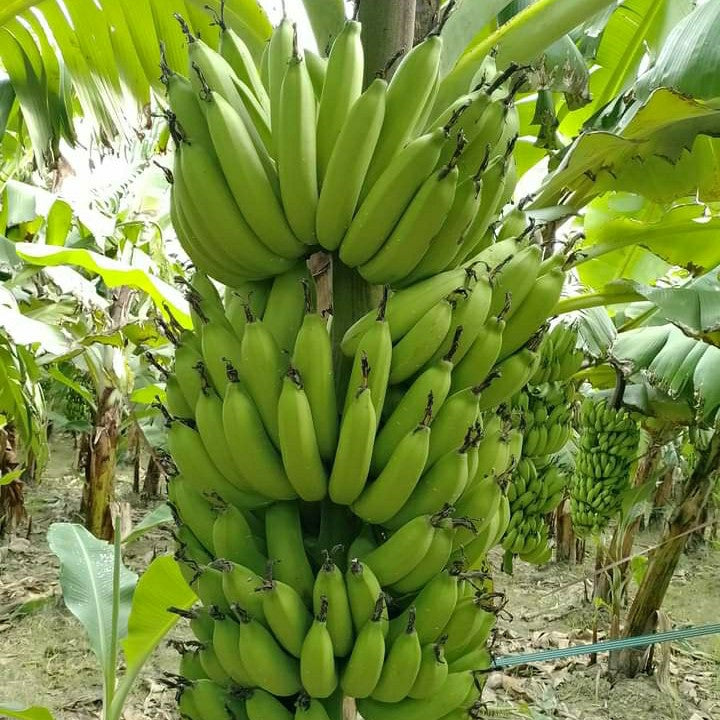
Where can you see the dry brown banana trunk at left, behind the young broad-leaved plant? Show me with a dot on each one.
(100, 466)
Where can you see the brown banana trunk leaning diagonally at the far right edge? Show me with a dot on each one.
(643, 615)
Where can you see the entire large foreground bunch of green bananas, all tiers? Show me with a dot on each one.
(334, 513)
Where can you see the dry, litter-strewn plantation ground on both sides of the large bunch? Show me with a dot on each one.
(45, 660)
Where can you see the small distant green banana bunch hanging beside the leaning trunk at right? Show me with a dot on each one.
(607, 450)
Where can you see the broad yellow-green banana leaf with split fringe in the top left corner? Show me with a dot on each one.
(108, 52)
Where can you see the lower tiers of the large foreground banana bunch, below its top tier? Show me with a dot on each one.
(408, 485)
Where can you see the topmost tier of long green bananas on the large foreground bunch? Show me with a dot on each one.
(275, 163)
